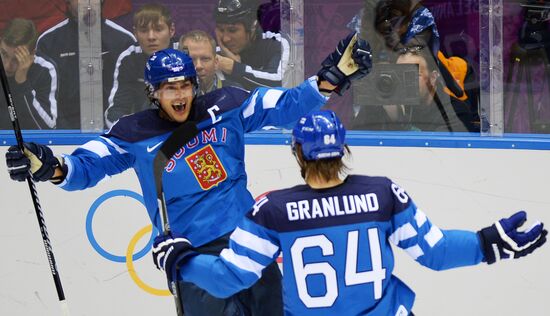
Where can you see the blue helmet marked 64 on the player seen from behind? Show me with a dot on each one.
(321, 135)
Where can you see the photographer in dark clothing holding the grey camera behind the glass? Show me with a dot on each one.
(438, 111)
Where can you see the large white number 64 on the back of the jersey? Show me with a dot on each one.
(352, 277)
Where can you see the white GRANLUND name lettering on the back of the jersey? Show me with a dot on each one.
(332, 206)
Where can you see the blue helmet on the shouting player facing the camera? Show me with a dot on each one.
(169, 65)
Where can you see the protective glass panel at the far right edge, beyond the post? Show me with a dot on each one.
(526, 48)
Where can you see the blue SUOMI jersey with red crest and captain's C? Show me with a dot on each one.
(205, 181)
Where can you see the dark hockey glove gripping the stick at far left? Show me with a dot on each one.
(36, 158)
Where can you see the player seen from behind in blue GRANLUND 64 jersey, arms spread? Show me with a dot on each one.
(335, 237)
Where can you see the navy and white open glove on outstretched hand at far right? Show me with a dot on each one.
(502, 240)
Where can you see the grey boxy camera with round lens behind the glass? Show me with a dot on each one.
(388, 84)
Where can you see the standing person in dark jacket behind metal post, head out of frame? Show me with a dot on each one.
(60, 44)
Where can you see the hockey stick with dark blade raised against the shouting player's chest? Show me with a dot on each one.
(181, 136)
